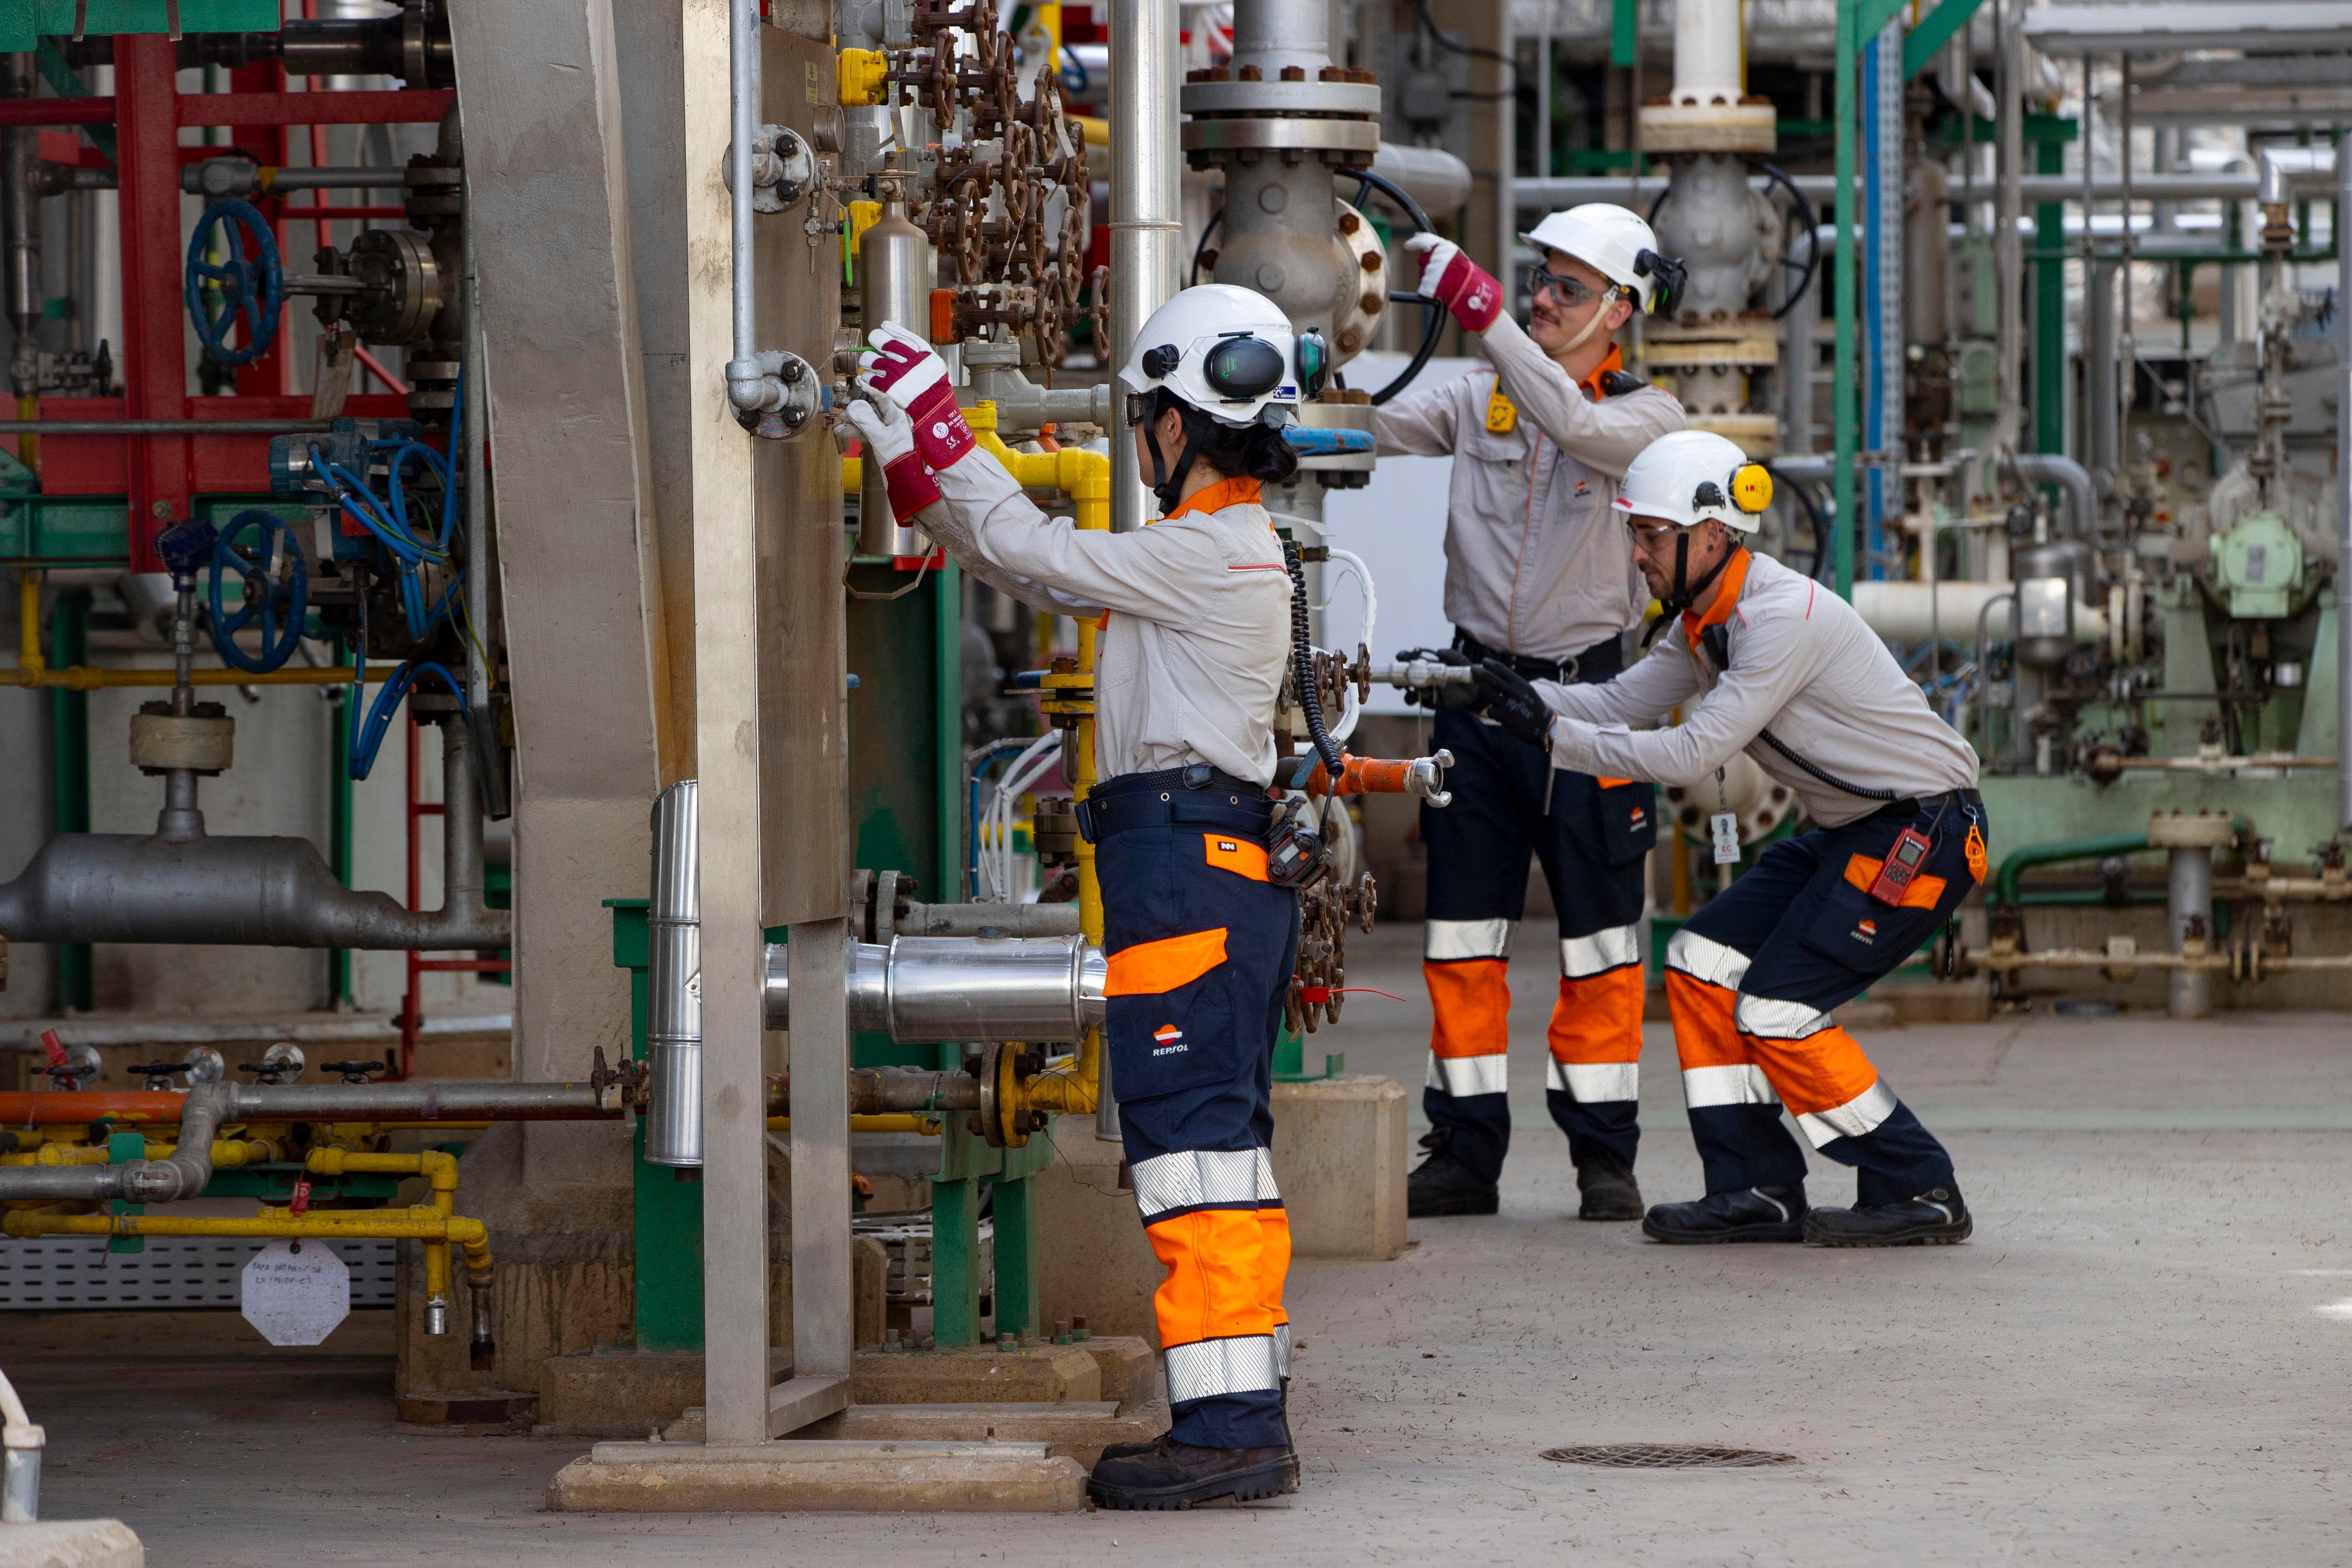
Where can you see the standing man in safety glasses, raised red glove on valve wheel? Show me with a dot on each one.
(1537, 577)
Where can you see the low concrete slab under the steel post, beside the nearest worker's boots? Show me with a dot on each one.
(801, 1477)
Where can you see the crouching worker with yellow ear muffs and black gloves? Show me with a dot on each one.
(1770, 664)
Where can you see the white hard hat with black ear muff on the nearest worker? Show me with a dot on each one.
(1227, 351)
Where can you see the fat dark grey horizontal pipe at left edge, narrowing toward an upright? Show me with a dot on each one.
(250, 892)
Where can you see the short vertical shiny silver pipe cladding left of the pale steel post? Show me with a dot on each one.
(674, 996)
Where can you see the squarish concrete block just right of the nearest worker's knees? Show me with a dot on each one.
(1339, 1160)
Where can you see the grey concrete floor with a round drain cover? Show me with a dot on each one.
(2144, 1355)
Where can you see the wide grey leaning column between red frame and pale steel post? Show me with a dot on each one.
(544, 159)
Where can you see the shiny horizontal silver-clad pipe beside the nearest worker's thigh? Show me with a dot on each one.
(968, 989)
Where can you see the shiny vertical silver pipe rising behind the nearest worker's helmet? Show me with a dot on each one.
(1147, 206)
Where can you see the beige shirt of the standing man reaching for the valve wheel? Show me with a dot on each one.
(1535, 558)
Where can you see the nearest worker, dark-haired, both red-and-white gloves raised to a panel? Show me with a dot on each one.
(1201, 920)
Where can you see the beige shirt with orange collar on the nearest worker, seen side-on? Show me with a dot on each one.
(1198, 629)
